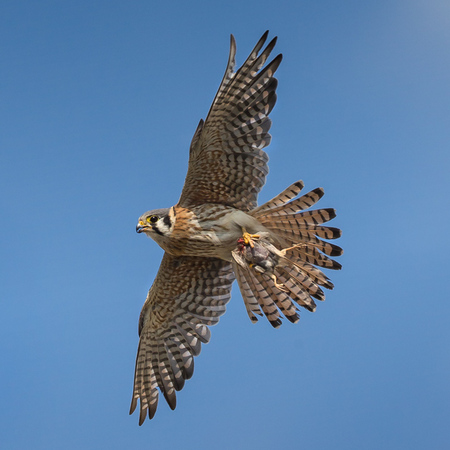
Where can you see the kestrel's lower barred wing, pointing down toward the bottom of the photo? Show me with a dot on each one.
(188, 294)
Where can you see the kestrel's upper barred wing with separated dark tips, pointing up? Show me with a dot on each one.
(226, 162)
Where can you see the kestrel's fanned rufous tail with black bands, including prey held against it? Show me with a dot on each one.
(278, 270)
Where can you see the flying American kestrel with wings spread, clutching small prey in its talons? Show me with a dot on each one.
(216, 233)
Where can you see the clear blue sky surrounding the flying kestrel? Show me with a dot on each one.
(99, 101)
